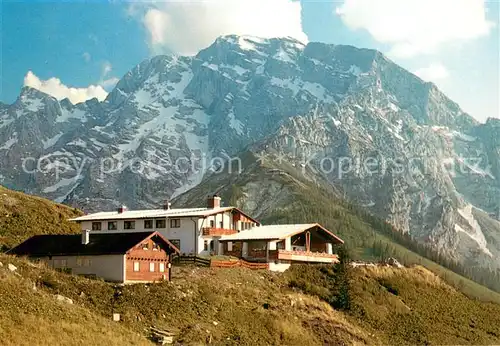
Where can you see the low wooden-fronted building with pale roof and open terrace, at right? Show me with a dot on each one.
(282, 245)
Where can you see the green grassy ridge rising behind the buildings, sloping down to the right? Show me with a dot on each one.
(299, 200)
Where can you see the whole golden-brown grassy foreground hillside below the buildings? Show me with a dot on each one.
(243, 307)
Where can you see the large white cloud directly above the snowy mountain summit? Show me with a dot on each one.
(188, 26)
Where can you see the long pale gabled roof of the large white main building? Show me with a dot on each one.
(156, 213)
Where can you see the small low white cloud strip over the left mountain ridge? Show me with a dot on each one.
(54, 87)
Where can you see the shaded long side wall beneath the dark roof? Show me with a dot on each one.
(108, 267)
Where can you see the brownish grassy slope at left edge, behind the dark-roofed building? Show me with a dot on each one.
(22, 216)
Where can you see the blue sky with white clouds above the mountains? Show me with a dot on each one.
(80, 49)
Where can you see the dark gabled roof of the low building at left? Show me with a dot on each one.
(71, 245)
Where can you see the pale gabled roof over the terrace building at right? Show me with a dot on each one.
(277, 232)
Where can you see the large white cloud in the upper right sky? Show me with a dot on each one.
(414, 27)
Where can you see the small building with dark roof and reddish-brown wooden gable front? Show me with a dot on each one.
(116, 257)
